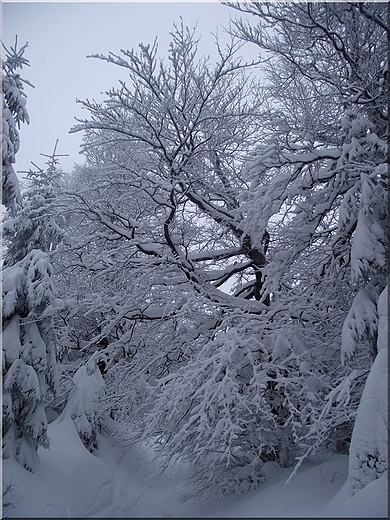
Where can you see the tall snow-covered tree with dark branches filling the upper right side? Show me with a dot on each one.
(322, 173)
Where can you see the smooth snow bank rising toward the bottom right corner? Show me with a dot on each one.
(321, 491)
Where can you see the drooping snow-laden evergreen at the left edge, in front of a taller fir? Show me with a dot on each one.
(29, 365)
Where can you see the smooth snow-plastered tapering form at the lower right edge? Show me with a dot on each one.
(368, 458)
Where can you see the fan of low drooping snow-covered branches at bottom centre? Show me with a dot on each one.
(229, 409)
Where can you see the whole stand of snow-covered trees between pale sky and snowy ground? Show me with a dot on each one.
(212, 280)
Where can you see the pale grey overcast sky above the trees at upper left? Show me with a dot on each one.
(61, 35)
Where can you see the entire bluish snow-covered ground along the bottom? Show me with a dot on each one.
(117, 481)
